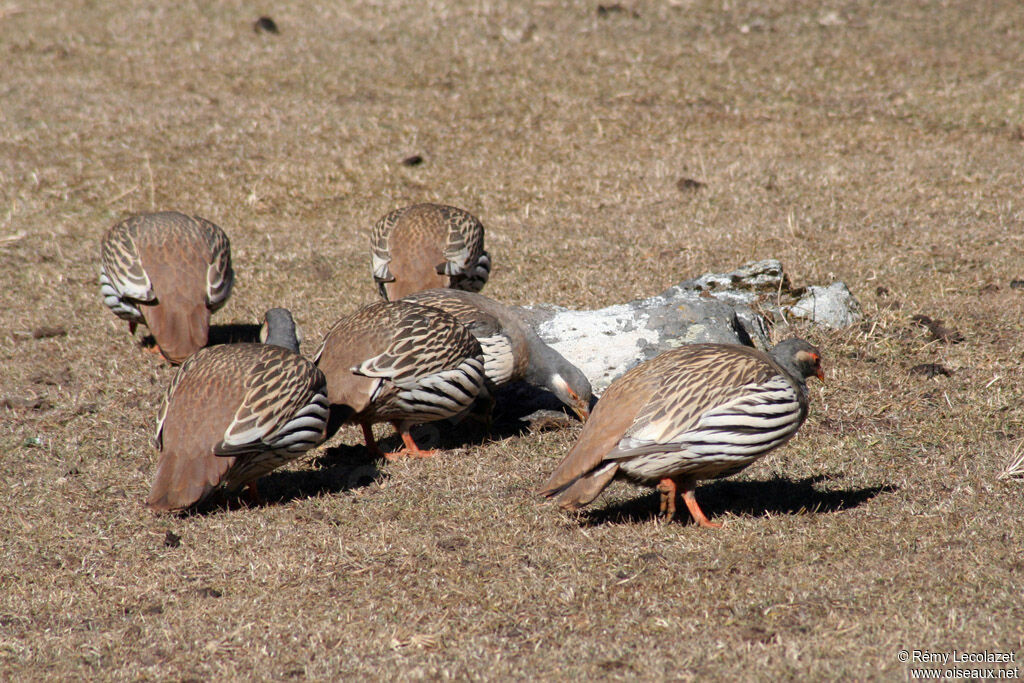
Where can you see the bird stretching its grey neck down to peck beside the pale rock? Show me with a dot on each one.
(513, 351)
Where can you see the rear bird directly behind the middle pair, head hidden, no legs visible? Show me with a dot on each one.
(425, 246)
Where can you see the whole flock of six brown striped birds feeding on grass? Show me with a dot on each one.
(433, 350)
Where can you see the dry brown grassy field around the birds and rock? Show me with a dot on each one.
(879, 144)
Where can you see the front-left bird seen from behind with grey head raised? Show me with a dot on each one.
(235, 412)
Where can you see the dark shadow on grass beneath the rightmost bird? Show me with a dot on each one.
(778, 496)
